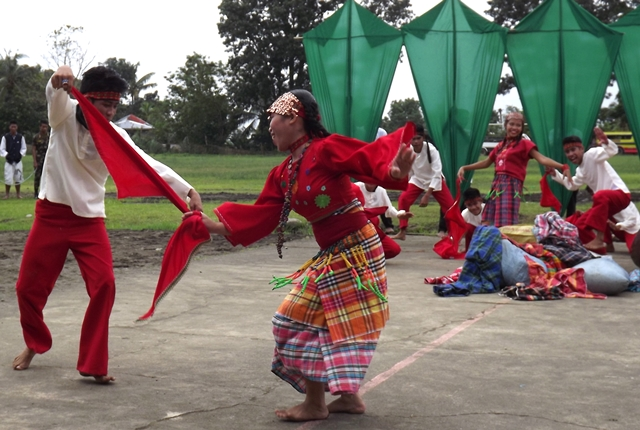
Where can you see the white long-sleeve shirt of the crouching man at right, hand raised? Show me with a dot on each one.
(595, 171)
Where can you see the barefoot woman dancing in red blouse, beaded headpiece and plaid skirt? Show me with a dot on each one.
(328, 326)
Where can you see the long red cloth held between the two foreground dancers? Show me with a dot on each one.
(135, 178)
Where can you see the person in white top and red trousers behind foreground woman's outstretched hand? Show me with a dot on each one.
(425, 177)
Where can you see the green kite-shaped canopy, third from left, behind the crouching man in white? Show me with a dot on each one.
(562, 58)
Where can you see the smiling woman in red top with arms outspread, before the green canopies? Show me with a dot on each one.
(511, 157)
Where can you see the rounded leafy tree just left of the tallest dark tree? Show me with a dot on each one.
(199, 113)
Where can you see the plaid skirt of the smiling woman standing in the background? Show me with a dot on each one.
(503, 201)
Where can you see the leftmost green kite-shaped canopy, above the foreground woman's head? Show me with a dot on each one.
(352, 57)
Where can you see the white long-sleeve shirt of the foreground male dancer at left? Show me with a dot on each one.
(73, 172)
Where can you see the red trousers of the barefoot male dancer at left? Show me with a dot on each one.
(55, 231)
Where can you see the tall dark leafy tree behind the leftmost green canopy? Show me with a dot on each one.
(265, 56)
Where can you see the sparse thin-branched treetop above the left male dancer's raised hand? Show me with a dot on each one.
(65, 49)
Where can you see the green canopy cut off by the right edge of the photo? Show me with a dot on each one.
(627, 69)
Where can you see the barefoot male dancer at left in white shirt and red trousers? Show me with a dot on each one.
(70, 216)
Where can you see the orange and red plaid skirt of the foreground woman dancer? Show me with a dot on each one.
(327, 328)
